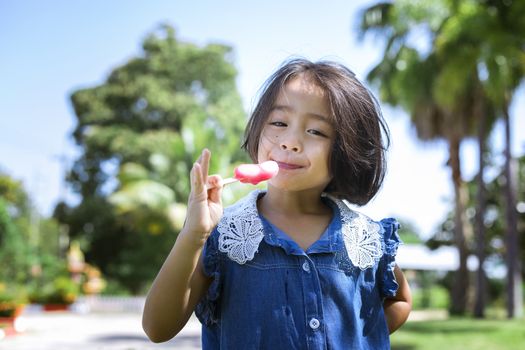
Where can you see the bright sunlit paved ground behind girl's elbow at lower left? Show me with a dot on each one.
(93, 331)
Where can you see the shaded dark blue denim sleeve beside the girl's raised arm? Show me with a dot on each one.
(207, 310)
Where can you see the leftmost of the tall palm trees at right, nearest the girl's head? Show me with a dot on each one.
(441, 91)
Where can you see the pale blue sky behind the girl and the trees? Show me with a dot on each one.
(49, 49)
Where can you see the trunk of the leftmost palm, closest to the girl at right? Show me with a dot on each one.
(461, 278)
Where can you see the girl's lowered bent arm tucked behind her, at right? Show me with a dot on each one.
(398, 307)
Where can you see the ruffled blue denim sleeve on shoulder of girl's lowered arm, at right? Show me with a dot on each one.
(388, 261)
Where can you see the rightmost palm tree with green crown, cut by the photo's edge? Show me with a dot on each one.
(504, 57)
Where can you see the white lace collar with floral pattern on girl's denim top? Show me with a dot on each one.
(241, 231)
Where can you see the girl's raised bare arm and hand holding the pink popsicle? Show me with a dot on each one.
(181, 282)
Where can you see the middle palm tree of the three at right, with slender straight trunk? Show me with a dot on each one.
(460, 40)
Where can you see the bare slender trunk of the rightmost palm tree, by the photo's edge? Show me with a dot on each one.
(514, 289)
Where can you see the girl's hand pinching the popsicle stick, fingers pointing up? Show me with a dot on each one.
(204, 203)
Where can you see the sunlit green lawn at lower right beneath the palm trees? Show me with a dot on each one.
(460, 334)
